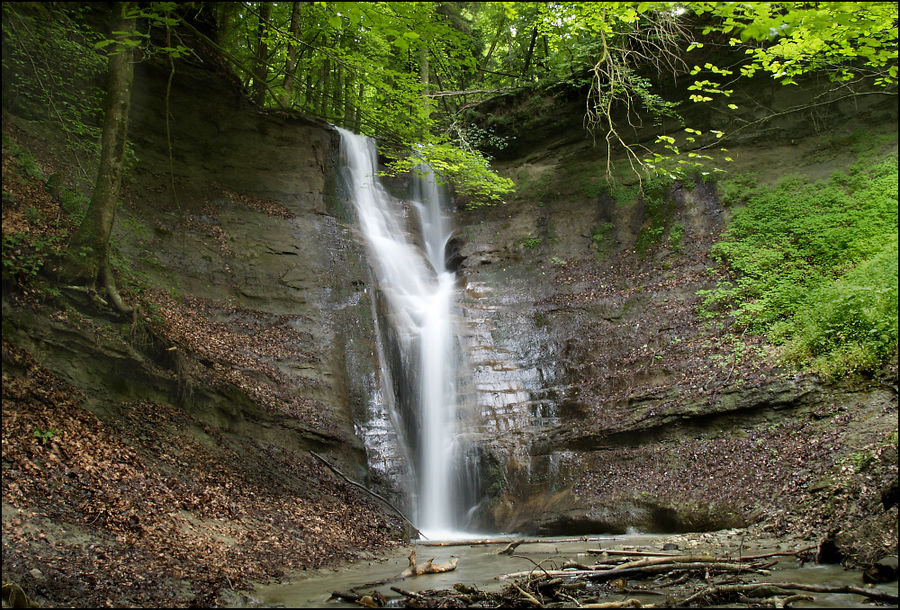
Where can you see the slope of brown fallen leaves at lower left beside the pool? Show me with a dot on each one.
(157, 508)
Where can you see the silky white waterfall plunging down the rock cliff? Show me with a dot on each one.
(418, 335)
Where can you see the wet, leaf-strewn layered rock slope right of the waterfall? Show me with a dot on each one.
(609, 402)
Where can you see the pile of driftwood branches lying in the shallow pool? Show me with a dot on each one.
(626, 579)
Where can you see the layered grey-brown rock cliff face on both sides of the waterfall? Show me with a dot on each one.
(605, 401)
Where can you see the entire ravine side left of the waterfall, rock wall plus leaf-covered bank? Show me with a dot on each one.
(164, 460)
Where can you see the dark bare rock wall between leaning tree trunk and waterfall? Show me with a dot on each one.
(251, 232)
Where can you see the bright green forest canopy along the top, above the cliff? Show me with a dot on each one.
(412, 73)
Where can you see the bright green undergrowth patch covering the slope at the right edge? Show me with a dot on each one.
(814, 266)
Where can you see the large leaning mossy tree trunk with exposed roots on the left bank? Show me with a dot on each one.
(87, 256)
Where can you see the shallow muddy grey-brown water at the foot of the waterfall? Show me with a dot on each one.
(480, 566)
